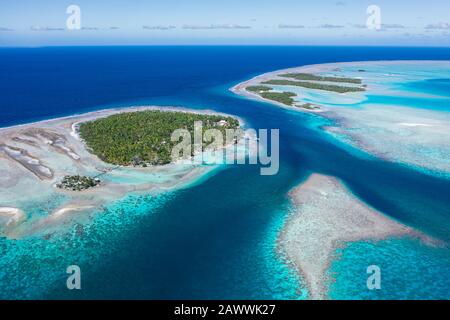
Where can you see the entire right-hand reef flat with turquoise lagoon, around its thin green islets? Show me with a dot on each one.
(403, 115)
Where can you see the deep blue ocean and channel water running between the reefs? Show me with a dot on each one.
(217, 239)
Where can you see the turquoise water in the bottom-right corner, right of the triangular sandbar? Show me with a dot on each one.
(417, 263)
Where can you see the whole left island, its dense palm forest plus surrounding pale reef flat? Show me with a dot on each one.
(89, 160)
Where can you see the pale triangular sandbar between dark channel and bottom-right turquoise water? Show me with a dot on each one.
(325, 217)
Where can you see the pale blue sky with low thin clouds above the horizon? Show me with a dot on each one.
(179, 22)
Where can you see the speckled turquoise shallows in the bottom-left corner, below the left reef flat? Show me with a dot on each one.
(29, 265)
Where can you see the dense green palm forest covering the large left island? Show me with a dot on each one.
(144, 138)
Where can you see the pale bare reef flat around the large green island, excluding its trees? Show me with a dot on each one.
(35, 157)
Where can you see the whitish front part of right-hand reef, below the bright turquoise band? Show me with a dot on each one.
(416, 137)
